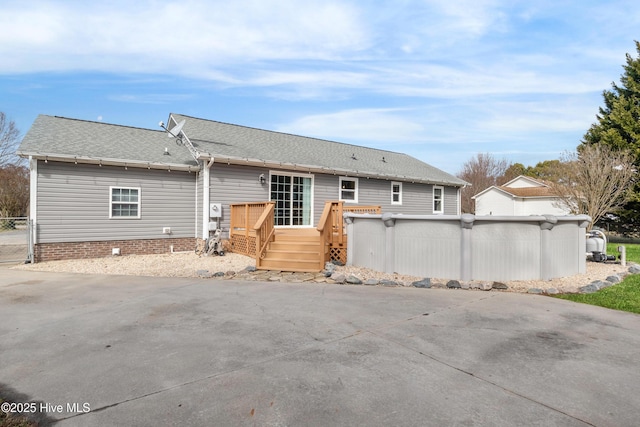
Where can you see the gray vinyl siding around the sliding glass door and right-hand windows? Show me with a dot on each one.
(238, 184)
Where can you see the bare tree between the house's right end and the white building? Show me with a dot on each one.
(482, 171)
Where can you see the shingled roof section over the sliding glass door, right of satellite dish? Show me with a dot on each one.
(237, 144)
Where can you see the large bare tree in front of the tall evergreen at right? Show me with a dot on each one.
(597, 180)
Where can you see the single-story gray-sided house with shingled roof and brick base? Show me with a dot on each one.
(97, 186)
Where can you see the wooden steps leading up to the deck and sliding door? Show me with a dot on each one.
(293, 249)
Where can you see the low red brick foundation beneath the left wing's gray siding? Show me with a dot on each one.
(83, 250)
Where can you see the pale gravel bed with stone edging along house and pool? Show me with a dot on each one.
(241, 267)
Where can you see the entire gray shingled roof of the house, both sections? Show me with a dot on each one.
(66, 139)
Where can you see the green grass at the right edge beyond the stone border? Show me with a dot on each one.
(624, 296)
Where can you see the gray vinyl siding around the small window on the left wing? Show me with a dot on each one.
(73, 203)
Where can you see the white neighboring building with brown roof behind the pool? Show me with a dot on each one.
(520, 196)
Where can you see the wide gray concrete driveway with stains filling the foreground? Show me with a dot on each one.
(114, 350)
